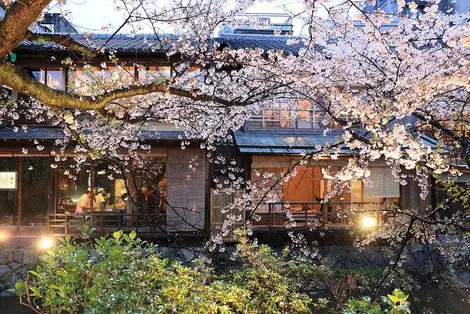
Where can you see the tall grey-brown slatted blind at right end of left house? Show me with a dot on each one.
(186, 175)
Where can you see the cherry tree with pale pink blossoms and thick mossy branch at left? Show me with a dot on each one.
(397, 75)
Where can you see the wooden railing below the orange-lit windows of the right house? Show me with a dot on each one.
(318, 214)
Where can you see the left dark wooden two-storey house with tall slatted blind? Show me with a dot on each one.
(39, 192)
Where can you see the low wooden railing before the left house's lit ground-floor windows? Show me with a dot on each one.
(105, 223)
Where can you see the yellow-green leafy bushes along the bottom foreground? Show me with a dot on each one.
(123, 274)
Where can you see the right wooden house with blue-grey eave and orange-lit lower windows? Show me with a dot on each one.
(276, 144)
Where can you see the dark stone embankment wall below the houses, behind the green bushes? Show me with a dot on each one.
(15, 263)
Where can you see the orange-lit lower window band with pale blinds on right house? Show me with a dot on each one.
(308, 189)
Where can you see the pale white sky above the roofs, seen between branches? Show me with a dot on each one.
(100, 16)
